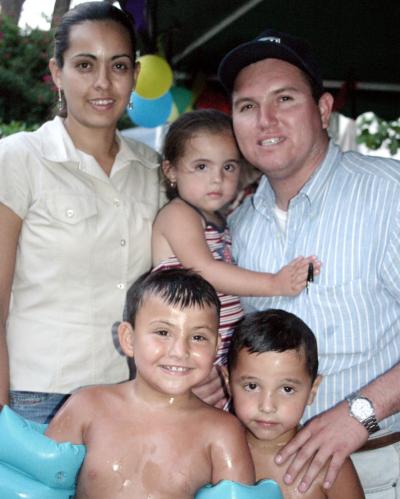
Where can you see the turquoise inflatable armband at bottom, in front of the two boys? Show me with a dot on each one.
(226, 489)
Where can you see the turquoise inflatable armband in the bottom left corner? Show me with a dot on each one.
(32, 465)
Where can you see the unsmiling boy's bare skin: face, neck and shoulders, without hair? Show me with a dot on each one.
(270, 391)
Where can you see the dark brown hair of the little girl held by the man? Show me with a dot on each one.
(185, 127)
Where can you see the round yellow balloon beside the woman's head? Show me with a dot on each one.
(155, 77)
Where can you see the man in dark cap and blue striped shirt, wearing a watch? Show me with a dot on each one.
(344, 208)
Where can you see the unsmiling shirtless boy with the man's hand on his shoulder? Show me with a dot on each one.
(273, 364)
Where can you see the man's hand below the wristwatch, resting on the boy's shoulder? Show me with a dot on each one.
(331, 436)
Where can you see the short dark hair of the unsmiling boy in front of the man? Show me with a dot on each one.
(274, 330)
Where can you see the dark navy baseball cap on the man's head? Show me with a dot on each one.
(270, 44)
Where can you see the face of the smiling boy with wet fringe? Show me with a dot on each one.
(174, 349)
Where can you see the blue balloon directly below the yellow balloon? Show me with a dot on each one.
(150, 113)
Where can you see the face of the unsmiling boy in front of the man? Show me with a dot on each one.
(270, 391)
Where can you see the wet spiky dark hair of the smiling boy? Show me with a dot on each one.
(178, 287)
